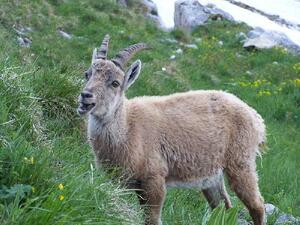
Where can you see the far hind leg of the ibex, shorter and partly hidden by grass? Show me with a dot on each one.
(217, 194)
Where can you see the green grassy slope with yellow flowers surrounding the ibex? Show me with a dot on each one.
(43, 142)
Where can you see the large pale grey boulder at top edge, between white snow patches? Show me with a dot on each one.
(190, 14)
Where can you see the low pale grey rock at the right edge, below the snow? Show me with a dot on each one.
(260, 39)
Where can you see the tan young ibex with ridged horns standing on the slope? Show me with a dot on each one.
(181, 140)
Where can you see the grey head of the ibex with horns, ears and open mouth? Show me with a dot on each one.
(107, 80)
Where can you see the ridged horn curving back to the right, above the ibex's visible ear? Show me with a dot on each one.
(126, 54)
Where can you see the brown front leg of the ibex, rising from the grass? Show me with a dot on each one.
(153, 195)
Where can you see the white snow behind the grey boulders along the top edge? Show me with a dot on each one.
(286, 9)
